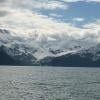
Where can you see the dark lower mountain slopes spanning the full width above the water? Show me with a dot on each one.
(89, 58)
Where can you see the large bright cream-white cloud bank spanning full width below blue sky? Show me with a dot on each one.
(27, 24)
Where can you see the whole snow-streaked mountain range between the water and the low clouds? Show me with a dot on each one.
(21, 52)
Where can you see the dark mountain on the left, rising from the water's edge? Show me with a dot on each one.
(9, 56)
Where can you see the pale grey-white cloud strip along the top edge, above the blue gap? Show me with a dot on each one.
(38, 4)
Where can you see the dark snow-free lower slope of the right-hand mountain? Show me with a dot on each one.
(75, 61)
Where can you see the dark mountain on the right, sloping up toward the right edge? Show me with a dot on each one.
(82, 58)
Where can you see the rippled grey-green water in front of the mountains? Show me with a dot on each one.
(49, 83)
